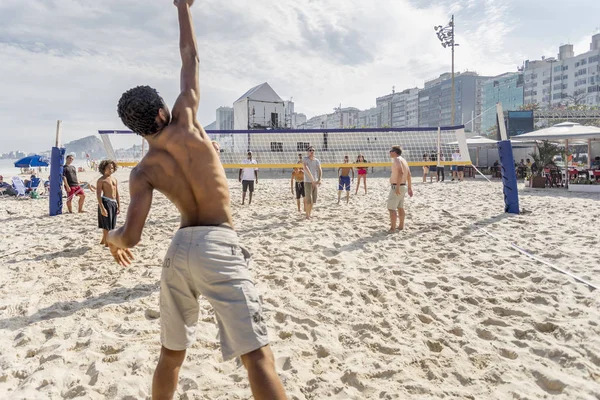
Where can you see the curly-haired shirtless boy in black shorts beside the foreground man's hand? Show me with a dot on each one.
(109, 204)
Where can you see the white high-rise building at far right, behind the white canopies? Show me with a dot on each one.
(566, 80)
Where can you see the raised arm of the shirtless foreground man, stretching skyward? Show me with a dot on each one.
(186, 105)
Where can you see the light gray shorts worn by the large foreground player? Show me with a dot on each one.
(209, 261)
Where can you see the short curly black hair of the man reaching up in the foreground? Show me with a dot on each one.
(138, 108)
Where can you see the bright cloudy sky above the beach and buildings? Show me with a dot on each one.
(72, 59)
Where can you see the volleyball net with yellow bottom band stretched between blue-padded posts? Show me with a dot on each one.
(281, 149)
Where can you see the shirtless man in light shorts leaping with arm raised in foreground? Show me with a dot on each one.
(205, 256)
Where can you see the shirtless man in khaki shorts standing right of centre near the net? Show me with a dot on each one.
(399, 180)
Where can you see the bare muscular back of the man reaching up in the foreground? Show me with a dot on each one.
(182, 165)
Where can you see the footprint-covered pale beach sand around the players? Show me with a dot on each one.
(438, 311)
